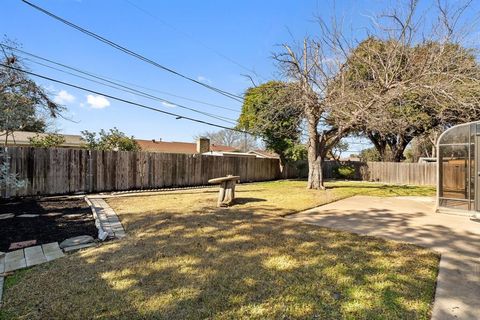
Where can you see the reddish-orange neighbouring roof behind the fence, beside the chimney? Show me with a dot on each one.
(176, 147)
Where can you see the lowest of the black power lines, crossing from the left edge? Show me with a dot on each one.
(177, 116)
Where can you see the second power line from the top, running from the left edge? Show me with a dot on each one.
(108, 79)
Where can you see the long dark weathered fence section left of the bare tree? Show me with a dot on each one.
(66, 171)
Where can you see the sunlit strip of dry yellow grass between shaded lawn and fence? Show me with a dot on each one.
(274, 197)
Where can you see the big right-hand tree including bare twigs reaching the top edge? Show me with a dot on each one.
(408, 79)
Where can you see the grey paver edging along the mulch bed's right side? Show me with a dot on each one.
(106, 218)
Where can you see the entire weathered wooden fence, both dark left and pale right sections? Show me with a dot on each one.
(66, 171)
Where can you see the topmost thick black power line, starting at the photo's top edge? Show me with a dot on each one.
(132, 53)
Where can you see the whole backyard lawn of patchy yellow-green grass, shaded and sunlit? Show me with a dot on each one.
(185, 259)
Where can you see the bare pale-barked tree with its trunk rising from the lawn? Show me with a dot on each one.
(313, 66)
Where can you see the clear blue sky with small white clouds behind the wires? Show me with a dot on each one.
(179, 34)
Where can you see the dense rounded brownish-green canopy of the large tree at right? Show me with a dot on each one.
(403, 90)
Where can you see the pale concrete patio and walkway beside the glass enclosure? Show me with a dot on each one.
(412, 219)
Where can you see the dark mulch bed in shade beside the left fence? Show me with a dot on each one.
(59, 219)
